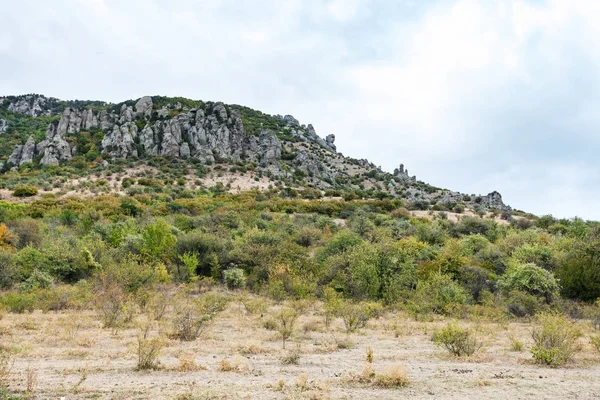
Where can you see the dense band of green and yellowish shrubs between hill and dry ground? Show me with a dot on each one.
(60, 253)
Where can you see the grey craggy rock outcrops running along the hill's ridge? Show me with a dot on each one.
(214, 132)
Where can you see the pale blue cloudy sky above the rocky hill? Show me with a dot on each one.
(472, 96)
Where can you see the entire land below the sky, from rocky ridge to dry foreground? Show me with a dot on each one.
(176, 249)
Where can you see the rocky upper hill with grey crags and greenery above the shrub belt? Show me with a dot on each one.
(39, 133)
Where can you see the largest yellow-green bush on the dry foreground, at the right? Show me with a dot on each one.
(555, 340)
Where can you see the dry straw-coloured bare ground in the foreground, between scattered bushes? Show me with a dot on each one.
(68, 355)
